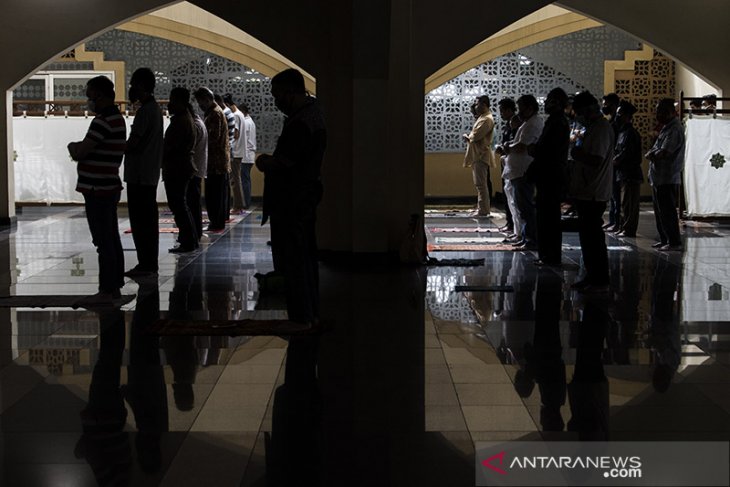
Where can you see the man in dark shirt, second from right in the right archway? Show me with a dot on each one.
(627, 166)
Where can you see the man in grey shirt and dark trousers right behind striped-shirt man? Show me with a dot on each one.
(142, 161)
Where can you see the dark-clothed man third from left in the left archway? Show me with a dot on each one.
(178, 167)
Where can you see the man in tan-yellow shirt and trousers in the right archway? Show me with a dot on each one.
(479, 154)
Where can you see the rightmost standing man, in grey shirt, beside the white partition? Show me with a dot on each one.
(665, 171)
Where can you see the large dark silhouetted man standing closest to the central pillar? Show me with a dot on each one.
(292, 191)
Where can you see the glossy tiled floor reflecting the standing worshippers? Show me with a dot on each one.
(408, 376)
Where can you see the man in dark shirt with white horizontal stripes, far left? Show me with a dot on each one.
(99, 156)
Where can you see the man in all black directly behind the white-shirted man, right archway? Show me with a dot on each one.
(551, 155)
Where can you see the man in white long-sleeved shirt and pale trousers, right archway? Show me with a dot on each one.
(519, 190)
